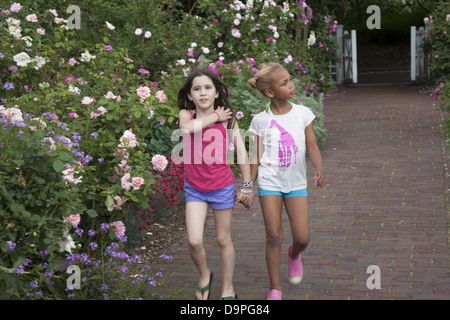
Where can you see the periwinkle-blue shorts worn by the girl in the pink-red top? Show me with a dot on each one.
(224, 198)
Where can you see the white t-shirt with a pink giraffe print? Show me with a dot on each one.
(282, 165)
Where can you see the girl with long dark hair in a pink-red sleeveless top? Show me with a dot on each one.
(206, 119)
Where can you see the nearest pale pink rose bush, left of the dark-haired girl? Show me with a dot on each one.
(73, 140)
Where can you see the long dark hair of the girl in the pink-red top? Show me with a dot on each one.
(221, 101)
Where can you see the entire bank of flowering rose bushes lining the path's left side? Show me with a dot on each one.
(87, 119)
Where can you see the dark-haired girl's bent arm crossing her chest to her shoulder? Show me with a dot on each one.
(193, 125)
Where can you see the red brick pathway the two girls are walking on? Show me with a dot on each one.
(384, 204)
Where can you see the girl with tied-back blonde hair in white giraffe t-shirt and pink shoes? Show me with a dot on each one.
(284, 133)
